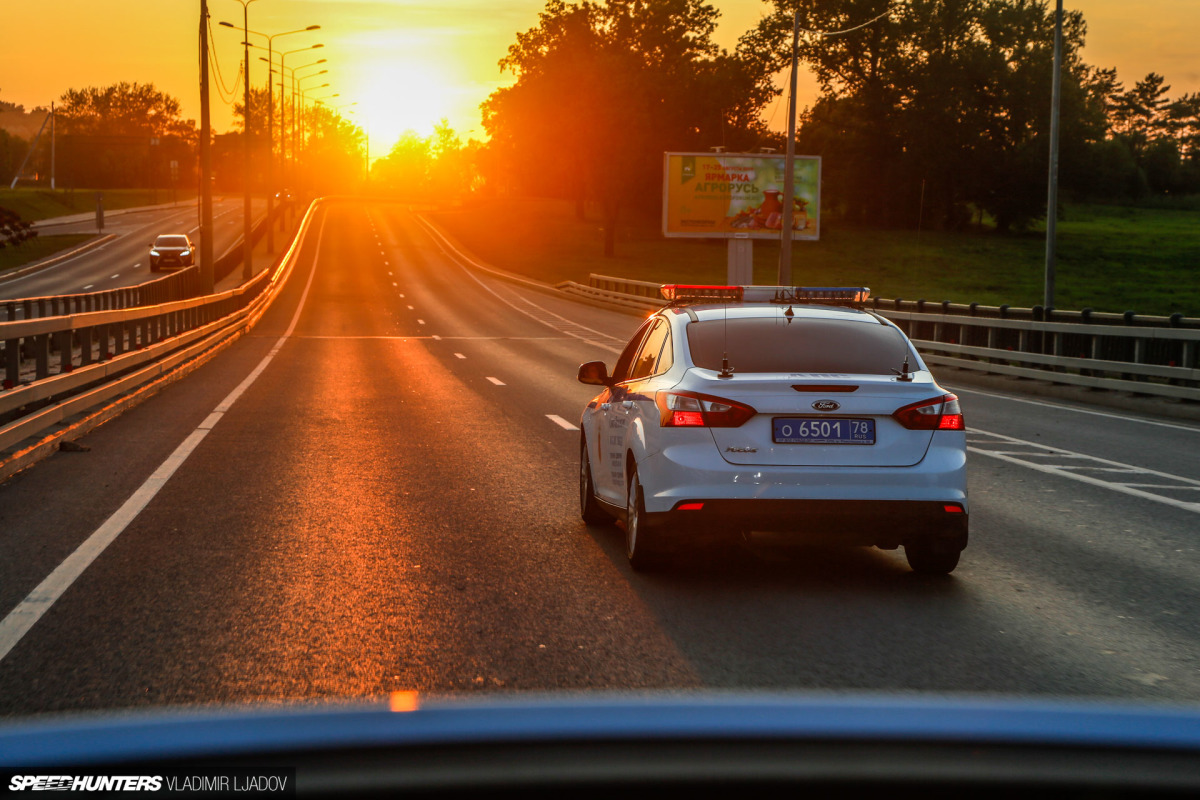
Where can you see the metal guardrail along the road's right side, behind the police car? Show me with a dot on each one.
(1149, 356)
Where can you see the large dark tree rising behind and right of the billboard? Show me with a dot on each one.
(947, 95)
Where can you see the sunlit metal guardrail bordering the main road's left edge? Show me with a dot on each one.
(103, 354)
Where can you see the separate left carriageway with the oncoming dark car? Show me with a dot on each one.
(125, 261)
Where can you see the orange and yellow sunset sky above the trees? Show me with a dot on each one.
(409, 63)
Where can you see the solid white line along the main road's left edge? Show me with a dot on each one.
(21, 619)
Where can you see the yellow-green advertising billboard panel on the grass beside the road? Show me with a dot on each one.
(739, 196)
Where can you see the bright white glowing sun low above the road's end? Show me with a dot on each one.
(404, 98)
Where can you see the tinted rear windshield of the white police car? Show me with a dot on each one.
(825, 346)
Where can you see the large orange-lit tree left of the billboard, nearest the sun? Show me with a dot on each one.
(605, 88)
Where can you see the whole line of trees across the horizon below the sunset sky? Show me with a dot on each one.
(932, 113)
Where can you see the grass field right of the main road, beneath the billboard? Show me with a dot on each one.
(1111, 258)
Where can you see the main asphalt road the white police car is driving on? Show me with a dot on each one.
(392, 506)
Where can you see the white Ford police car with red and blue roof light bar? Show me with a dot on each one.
(775, 410)
